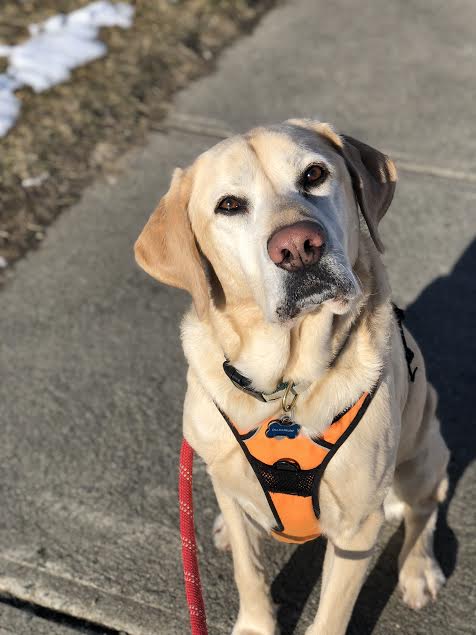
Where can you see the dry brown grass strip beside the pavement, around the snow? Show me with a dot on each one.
(67, 135)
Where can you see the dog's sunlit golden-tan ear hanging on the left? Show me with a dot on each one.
(166, 248)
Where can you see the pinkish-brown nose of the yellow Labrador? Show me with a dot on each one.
(296, 246)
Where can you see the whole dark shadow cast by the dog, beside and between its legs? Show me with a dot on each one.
(442, 320)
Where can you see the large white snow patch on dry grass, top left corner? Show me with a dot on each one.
(55, 47)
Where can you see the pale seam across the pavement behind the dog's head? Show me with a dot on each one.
(202, 126)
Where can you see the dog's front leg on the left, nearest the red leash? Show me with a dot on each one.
(256, 616)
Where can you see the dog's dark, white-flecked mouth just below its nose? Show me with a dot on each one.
(305, 290)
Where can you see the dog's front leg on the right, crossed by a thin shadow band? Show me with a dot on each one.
(347, 559)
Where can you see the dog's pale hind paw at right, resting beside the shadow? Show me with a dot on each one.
(420, 580)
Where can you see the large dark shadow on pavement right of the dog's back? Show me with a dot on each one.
(443, 320)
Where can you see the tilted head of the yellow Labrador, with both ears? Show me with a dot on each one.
(270, 216)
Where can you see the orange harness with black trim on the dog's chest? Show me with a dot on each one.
(289, 467)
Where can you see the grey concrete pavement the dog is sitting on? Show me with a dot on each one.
(92, 375)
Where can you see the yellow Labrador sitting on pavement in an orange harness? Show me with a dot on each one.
(292, 338)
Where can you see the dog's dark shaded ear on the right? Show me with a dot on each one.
(374, 177)
